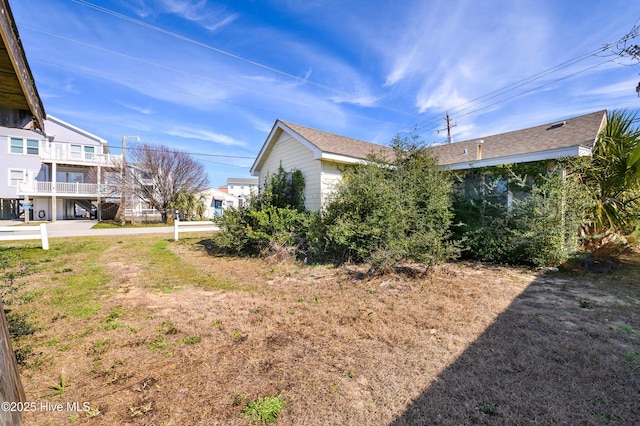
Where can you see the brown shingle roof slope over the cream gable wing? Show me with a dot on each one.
(336, 144)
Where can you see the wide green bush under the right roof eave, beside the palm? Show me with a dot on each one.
(538, 227)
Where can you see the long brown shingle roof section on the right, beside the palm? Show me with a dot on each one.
(577, 131)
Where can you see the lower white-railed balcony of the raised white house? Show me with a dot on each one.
(68, 189)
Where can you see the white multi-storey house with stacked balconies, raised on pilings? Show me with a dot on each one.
(61, 173)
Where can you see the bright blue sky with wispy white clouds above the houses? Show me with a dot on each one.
(211, 77)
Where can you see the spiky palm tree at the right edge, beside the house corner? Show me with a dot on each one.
(612, 178)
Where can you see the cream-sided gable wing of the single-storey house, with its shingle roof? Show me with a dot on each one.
(319, 155)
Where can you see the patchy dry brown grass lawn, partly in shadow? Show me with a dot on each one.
(152, 332)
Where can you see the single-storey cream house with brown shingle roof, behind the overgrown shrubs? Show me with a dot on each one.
(322, 156)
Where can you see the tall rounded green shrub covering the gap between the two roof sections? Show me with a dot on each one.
(389, 211)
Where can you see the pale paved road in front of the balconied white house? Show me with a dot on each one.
(78, 228)
